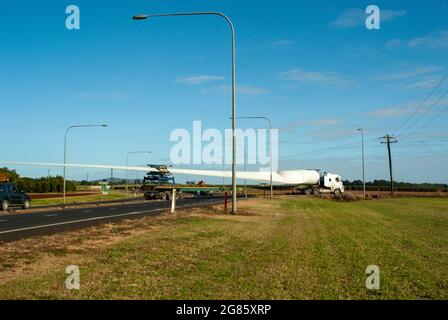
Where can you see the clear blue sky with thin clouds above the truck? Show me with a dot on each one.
(311, 66)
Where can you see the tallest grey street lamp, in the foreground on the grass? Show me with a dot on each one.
(232, 29)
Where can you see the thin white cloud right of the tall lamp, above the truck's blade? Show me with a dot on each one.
(319, 78)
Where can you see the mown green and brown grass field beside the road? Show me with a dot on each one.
(294, 248)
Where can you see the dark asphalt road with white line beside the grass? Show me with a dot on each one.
(18, 226)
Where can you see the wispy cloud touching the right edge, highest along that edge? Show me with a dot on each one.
(434, 40)
